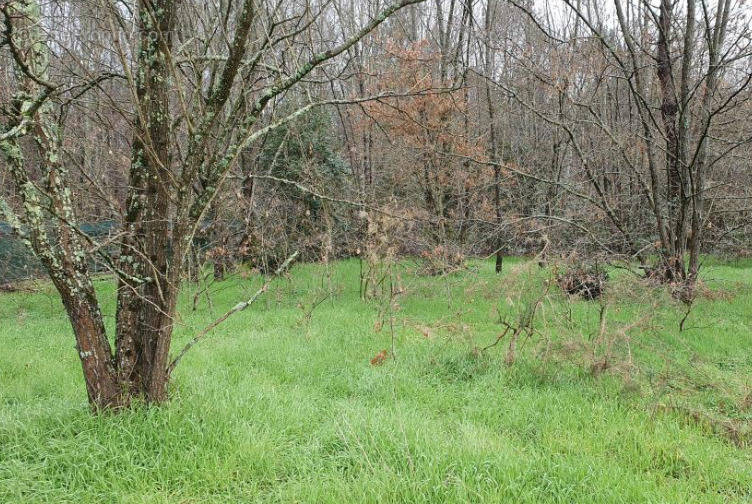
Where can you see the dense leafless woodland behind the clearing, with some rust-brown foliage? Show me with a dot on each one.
(512, 125)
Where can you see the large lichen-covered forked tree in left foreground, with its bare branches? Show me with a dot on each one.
(198, 95)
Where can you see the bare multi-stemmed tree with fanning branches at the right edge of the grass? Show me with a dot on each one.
(653, 132)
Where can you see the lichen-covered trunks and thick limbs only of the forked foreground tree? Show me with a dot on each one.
(164, 204)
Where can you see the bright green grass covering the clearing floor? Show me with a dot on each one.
(282, 404)
